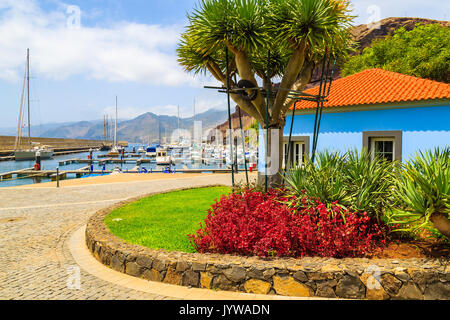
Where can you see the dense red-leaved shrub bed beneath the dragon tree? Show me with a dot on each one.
(265, 224)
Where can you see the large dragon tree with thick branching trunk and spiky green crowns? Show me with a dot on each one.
(268, 42)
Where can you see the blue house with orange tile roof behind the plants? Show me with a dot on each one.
(391, 114)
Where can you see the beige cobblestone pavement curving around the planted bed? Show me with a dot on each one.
(36, 225)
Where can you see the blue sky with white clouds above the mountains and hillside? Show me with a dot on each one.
(84, 53)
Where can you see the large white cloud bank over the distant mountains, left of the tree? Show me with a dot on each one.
(122, 52)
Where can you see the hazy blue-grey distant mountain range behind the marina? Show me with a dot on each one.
(144, 128)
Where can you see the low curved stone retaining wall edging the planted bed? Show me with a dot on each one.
(320, 277)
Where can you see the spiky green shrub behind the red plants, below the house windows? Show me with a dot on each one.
(353, 179)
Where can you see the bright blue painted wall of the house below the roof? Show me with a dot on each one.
(422, 128)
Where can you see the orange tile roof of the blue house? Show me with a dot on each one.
(377, 86)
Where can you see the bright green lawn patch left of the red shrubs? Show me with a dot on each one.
(163, 221)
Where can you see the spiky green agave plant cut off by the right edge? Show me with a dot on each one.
(424, 188)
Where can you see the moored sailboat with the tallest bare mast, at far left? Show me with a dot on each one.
(30, 152)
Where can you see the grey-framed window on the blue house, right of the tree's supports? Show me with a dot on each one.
(386, 144)
